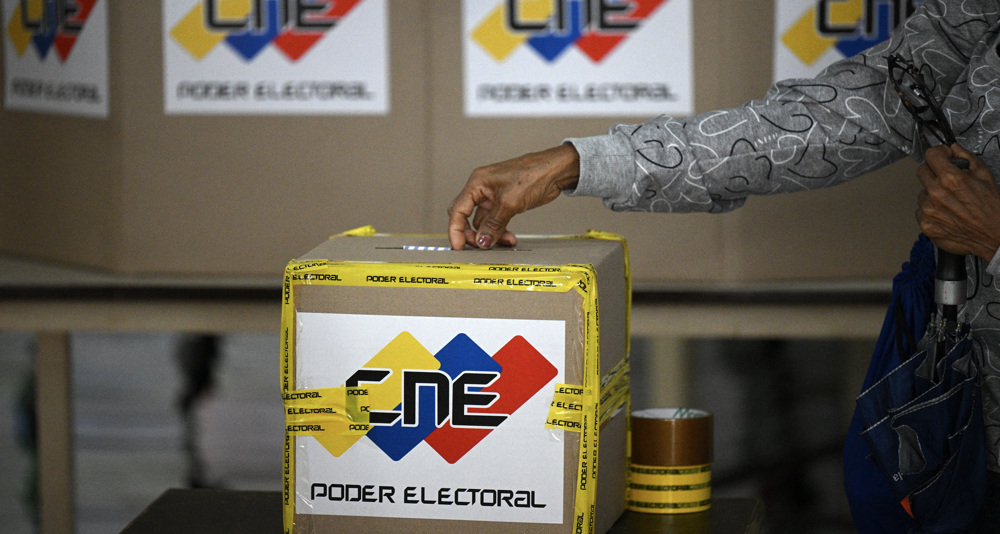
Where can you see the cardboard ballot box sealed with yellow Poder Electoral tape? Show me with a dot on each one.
(363, 310)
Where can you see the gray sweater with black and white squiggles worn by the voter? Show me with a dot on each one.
(811, 133)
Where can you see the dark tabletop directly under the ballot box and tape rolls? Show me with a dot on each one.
(250, 512)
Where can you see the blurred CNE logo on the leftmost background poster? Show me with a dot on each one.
(48, 24)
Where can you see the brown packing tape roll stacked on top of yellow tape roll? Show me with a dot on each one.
(671, 437)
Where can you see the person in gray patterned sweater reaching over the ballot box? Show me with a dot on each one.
(804, 134)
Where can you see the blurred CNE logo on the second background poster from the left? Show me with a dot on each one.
(247, 27)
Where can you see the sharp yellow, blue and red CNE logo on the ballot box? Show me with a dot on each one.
(451, 400)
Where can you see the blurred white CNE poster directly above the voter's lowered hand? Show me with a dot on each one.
(535, 58)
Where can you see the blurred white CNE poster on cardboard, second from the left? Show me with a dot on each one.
(276, 57)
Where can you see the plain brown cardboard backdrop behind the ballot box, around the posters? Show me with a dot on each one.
(142, 192)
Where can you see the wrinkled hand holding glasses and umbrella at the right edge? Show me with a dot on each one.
(959, 210)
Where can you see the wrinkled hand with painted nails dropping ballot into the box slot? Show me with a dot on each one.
(496, 193)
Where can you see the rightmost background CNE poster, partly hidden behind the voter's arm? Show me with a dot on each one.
(812, 34)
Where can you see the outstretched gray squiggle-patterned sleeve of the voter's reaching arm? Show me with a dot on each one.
(804, 134)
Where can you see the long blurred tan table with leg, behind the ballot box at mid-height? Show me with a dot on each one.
(55, 300)
